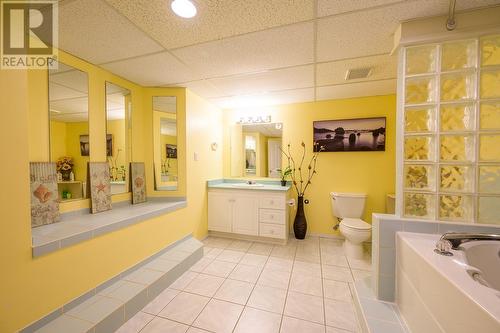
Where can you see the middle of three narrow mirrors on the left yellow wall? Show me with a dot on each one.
(118, 136)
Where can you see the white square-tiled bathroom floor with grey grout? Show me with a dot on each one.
(240, 286)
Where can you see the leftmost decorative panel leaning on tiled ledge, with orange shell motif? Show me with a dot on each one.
(44, 194)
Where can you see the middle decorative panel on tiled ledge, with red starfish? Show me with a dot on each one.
(100, 187)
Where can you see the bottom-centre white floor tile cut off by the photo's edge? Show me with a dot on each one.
(253, 320)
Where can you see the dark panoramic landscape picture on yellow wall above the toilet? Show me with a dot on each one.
(363, 134)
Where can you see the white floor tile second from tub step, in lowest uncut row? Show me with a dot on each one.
(305, 307)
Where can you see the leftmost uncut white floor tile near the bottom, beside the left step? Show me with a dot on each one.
(184, 308)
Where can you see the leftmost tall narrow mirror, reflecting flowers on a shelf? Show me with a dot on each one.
(69, 130)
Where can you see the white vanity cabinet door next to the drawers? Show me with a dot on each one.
(246, 215)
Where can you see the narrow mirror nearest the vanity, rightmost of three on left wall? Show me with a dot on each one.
(165, 142)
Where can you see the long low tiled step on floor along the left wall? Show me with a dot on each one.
(110, 305)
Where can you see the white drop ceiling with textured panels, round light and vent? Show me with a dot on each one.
(253, 51)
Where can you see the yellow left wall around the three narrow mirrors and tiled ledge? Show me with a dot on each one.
(31, 288)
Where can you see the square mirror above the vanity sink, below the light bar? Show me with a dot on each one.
(256, 150)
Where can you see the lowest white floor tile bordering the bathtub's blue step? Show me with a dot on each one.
(341, 315)
